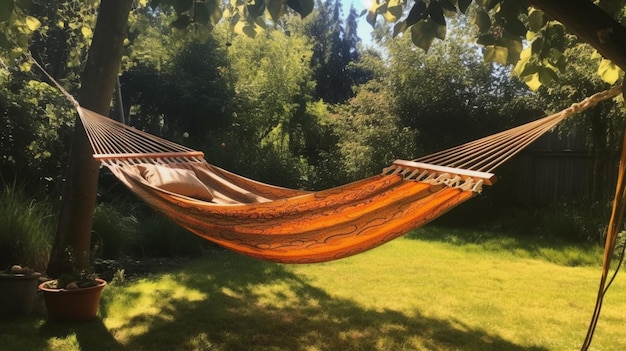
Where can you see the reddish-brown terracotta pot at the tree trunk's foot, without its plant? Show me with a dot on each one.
(77, 305)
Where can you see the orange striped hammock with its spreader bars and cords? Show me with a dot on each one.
(295, 226)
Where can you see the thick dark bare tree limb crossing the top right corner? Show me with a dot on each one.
(591, 24)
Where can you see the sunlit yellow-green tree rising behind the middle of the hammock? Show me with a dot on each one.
(271, 79)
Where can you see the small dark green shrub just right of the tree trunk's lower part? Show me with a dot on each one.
(113, 233)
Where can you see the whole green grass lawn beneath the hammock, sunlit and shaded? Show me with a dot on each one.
(406, 295)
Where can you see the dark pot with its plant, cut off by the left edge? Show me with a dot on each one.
(18, 291)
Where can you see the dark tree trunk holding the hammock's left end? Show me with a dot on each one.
(72, 242)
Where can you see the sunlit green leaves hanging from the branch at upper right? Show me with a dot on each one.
(503, 27)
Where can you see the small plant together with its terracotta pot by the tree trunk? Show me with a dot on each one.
(74, 296)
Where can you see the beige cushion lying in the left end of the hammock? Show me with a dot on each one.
(176, 180)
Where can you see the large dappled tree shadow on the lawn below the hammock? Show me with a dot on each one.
(252, 305)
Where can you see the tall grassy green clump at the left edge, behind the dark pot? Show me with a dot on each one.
(26, 229)
